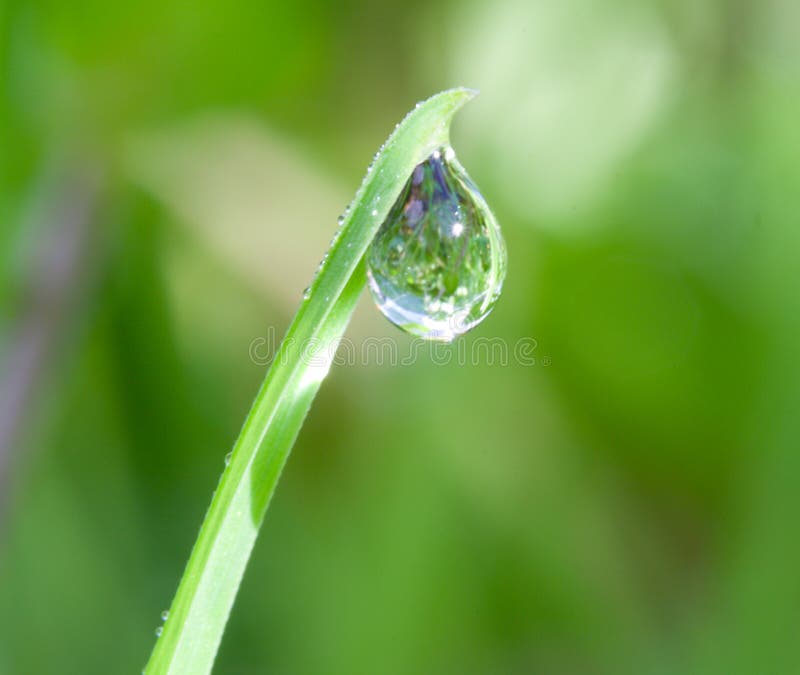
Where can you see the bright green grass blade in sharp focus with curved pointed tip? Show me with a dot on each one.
(200, 609)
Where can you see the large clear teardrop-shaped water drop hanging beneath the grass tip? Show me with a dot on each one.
(436, 266)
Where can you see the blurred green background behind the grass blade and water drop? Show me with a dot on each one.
(170, 175)
